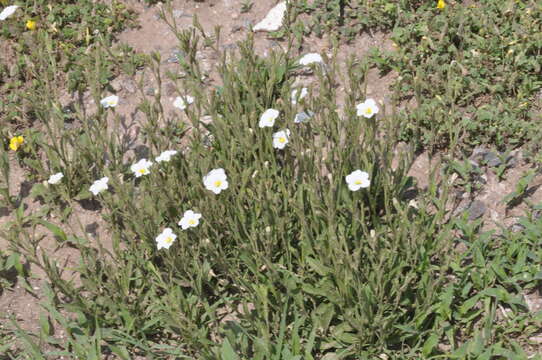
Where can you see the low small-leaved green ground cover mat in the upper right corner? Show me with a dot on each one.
(474, 64)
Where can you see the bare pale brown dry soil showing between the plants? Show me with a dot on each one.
(154, 35)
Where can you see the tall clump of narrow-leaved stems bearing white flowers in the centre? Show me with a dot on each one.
(285, 236)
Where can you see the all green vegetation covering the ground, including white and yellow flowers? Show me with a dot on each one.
(263, 234)
